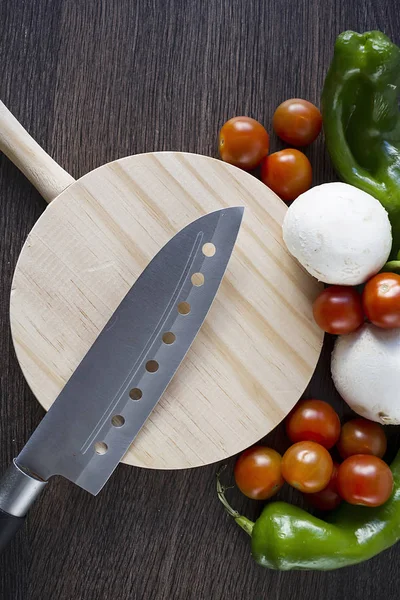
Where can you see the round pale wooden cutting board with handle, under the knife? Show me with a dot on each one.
(259, 345)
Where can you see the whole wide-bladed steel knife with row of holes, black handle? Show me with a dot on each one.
(114, 389)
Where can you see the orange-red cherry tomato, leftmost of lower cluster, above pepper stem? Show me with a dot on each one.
(258, 472)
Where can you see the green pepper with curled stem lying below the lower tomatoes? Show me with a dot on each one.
(286, 537)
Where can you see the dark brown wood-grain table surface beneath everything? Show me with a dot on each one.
(94, 81)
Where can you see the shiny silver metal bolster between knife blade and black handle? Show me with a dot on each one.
(18, 490)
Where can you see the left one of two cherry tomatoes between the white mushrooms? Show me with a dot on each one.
(338, 310)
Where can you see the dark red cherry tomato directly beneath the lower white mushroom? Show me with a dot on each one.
(361, 436)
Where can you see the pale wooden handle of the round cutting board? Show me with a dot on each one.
(42, 171)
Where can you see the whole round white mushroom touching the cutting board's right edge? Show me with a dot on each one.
(339, 233)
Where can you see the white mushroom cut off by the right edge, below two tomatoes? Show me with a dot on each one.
(366, 372)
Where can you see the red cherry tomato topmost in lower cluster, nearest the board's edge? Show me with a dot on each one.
(315, 421)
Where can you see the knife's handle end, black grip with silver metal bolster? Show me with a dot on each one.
(18, 491)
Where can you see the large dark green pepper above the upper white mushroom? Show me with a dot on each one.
(361, 118)
